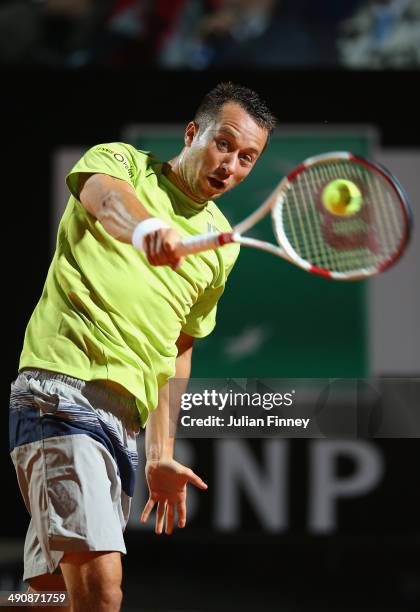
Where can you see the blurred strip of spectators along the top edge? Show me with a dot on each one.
(201, 34)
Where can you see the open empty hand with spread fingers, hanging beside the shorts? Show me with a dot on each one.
(167, 482)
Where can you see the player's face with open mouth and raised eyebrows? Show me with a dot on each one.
(220, 156)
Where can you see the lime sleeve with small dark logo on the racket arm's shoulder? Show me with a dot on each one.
(115, 159)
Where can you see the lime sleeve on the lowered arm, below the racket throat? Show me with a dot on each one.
(201, 319)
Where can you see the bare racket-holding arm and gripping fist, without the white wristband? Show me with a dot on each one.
(116, 205)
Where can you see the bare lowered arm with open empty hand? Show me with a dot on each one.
(167, 479)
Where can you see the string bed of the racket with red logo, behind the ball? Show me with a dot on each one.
(365, 239)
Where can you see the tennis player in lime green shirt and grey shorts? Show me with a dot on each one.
(116, 320)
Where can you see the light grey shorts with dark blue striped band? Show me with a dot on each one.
(73, 445)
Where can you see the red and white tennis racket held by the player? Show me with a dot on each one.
(309, 235)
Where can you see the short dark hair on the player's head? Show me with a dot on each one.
(250, 101)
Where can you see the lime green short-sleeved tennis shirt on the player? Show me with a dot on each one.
(104, 312)
